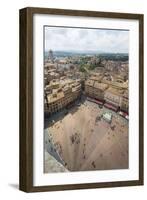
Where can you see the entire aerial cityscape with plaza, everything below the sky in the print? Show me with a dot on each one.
(86, 111)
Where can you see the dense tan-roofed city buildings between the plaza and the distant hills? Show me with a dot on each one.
(64, 82)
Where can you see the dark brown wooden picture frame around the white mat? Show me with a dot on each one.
(26, 99)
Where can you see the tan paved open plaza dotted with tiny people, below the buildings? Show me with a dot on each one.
(86, 141)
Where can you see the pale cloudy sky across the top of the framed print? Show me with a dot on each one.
(101, 40)
